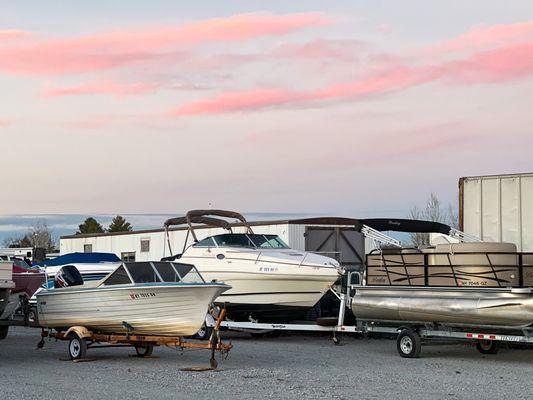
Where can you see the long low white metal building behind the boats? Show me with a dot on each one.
(335, 237)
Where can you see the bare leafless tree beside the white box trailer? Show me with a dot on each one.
(432, 212)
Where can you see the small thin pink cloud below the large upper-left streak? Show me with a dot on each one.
(101, 87)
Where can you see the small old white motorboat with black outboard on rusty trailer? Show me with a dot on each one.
(144, 298)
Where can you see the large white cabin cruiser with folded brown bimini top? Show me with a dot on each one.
(269, 280)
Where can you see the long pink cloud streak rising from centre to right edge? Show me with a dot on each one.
(496, 66)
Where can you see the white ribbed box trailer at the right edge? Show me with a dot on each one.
(498, 208)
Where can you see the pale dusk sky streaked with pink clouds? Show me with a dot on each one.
(349, 108)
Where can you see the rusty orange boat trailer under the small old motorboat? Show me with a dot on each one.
(81, 339)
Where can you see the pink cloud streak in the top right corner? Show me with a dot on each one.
(487, 36)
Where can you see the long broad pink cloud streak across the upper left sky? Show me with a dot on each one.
(120, 48)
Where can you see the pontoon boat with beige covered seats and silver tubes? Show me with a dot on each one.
(458, 284)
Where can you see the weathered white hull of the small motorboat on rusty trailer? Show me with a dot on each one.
(168, 310)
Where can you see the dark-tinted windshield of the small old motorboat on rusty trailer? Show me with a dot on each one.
(152, 272)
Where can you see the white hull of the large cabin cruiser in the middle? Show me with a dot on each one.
(281, 285)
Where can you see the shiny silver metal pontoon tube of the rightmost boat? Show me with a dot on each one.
(453, 306)
